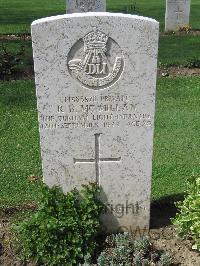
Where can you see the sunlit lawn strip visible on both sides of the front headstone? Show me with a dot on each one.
(176, 145)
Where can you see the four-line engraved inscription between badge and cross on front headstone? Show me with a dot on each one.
(96, 112)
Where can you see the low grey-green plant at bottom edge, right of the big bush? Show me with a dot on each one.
(122, 250)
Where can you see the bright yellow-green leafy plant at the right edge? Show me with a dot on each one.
(187, 221)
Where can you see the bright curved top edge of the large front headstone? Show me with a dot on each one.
(92, 14)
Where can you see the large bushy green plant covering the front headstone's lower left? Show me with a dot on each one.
(63, 230)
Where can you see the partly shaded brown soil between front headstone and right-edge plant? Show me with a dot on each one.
(163, 234)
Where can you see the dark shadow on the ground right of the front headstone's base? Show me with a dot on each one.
(163, 210)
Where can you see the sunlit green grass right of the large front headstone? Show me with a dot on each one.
(177, 142)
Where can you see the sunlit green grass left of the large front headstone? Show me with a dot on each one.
(19, 146)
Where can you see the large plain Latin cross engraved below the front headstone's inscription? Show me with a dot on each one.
(97, 160)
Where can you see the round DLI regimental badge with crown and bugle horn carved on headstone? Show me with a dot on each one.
(96, 61)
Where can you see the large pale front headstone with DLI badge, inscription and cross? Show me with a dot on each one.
(96, 79)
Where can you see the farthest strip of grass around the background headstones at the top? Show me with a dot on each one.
(17, 15)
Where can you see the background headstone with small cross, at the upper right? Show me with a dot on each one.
(177, 14)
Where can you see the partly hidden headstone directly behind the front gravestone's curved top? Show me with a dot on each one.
(81, 6)
